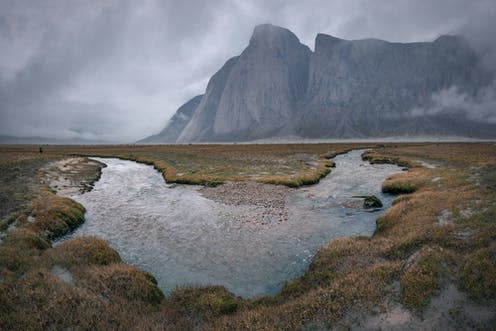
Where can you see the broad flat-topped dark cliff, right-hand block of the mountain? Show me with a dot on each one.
(368, 87)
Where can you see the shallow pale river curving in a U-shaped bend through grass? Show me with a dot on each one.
(184, 238)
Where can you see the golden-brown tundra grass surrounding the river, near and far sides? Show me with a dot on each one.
(440, 231)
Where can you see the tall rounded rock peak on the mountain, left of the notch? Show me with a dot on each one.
(258, 92)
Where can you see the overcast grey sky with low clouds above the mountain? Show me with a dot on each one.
(117, 70)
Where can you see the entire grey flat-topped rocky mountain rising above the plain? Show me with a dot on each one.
(278, 87)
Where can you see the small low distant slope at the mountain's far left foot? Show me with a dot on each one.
(176, 124)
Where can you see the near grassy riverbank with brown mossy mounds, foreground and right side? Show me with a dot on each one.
(430, 264)
